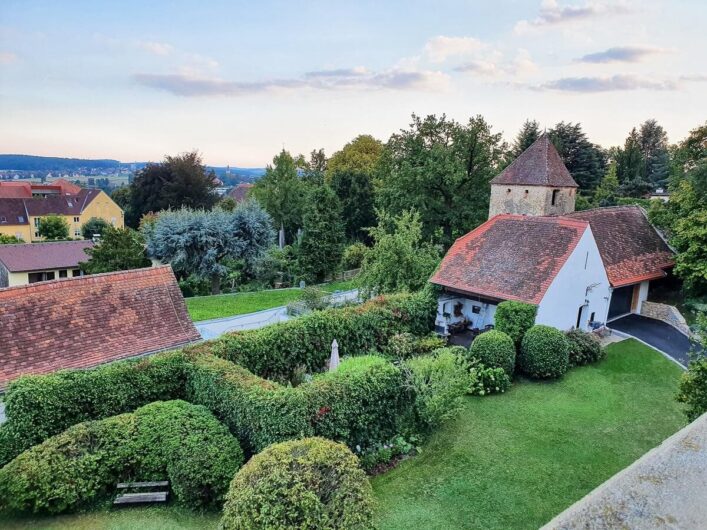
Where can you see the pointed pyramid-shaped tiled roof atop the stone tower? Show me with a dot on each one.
(539, 165)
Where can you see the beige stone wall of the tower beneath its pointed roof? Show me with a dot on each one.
(530, 200)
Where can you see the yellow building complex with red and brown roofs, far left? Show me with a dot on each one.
(22, 206)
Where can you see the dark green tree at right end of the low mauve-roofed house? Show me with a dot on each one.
(119, 249)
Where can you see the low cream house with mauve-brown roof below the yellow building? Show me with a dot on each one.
(25, 263)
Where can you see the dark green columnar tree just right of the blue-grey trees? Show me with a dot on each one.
(322, 242)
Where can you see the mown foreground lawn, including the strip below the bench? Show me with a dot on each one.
(508, 461)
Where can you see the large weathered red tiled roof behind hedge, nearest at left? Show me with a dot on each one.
(86, 321)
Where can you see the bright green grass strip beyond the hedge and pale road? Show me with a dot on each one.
(225, 305)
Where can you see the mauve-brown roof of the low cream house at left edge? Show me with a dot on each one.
(23, 257)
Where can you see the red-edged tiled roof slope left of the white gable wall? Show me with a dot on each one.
(510, 257)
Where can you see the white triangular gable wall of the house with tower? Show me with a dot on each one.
(568, 291)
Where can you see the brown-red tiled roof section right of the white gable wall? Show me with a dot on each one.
(631, 248)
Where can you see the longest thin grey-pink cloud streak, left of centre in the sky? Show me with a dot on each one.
(188, 85)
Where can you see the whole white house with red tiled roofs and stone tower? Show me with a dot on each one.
(581, 269)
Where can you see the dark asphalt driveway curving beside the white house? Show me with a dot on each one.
(658, 334)
